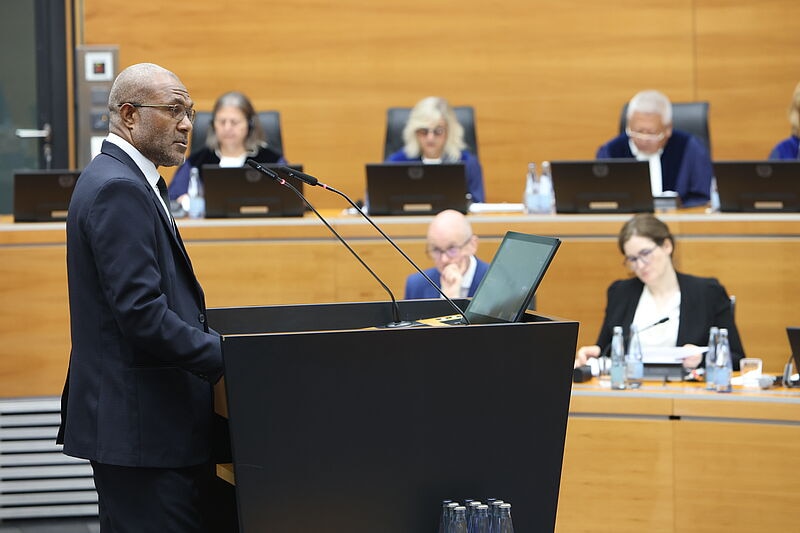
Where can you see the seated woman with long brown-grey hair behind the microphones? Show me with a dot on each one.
(233, 135)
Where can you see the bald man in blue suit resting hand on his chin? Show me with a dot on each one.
(452, 246)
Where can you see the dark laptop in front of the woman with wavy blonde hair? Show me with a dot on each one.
(416, 188)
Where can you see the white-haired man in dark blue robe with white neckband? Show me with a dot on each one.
(678, 161)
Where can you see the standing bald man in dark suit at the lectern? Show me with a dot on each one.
(138, 398)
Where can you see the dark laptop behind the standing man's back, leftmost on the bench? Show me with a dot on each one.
(43, 195)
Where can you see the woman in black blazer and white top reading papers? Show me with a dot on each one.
(690, 304)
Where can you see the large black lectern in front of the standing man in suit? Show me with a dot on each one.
(339, 426)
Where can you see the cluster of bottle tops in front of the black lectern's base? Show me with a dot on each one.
(494, 516)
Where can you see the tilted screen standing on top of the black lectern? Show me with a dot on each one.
(507, 288)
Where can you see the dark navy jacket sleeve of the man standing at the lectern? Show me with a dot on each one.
(139, 290)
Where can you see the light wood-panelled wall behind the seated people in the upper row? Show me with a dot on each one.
(547, 77)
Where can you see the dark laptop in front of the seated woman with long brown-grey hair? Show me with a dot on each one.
(234, 192)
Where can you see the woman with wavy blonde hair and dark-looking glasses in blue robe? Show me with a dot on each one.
(434, 135)
